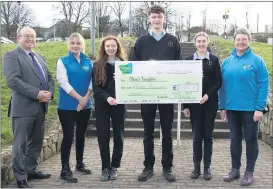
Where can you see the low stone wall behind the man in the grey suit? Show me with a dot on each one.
(51, 145)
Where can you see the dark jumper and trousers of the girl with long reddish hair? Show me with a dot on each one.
(104, 112)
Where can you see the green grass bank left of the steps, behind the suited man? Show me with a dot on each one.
(51, 51)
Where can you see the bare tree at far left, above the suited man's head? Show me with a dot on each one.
(10, 15)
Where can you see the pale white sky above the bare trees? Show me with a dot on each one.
(45, 14)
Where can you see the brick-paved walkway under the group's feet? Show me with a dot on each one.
(132, 166)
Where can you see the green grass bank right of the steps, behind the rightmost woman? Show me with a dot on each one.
(262, 49)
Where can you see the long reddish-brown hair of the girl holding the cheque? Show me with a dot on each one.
(100, 71)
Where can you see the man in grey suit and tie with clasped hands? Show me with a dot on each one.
(32, 86)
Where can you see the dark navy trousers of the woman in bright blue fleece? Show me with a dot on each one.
(238, 122)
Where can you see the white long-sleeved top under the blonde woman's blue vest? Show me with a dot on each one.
(62, 78)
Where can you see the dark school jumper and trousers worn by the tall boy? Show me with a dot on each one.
(149, 47)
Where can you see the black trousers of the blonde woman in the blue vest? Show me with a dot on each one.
(68, 118)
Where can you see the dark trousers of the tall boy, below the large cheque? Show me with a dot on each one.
(148, 112)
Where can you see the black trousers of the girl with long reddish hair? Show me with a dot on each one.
(103, 113)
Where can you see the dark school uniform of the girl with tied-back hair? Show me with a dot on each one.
(202, 116)
